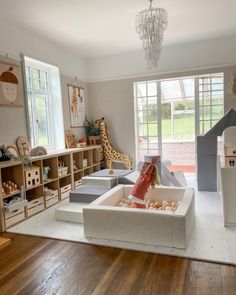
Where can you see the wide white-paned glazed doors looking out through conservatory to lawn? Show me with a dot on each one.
(166, 111)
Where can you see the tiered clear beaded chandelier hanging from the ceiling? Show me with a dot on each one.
(150, 25)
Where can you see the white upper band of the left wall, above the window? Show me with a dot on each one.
(15, 40)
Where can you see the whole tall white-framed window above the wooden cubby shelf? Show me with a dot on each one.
(45, 116)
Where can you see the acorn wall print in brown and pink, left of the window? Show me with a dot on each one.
(11, 86)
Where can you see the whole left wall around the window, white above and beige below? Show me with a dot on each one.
(15, 41)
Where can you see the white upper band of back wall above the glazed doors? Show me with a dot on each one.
(183, 57)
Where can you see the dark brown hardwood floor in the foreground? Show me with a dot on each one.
(32, 265)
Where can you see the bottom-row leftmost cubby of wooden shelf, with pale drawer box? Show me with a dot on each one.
(14, 213)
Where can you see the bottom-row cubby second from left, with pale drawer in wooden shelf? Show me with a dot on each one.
(35, 200)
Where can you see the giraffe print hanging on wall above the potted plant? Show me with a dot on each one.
(77, 105)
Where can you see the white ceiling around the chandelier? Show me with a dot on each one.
(93, 28)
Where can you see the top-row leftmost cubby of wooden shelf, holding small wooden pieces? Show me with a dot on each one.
(12, 180)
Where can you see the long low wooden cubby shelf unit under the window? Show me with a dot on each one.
(45, 186)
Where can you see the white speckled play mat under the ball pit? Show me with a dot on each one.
(210, 241)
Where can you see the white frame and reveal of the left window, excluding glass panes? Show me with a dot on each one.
(54, 114)
